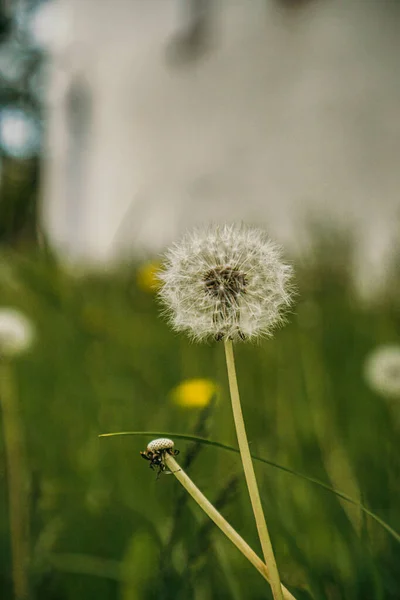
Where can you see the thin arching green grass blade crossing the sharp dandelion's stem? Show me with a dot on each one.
(200, 440)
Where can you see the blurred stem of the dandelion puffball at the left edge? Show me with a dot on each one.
(16, 477)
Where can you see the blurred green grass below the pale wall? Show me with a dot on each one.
(102, 526)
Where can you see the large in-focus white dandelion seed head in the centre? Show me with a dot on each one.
(225, 282)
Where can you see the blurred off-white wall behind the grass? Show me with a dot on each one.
(288, 107)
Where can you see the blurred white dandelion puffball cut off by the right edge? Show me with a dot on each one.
(382, 371)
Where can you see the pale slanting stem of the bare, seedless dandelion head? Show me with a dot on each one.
(219, 520)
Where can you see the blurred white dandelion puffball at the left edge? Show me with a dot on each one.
(16, 332)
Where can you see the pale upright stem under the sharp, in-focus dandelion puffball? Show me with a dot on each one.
(250, 475)
